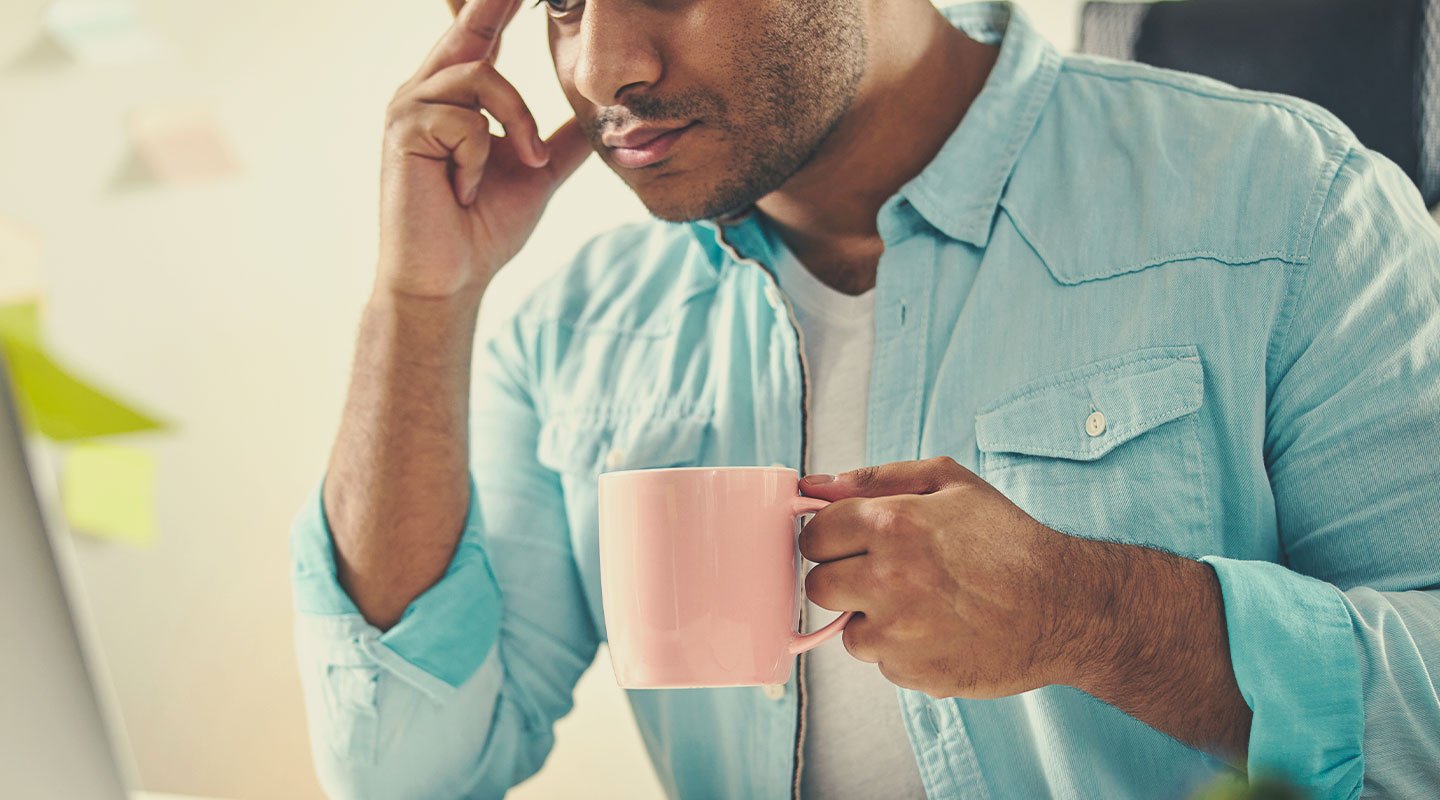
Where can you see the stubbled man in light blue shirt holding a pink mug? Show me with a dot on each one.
(1131, 381)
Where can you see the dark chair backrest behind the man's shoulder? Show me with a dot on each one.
(1374, 64)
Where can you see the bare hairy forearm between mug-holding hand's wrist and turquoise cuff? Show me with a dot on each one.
(1156, 645)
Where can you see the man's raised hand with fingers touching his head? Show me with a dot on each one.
(457, 202)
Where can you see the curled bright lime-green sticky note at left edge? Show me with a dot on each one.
(53, 401)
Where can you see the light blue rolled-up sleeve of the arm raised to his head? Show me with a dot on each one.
(460, 697)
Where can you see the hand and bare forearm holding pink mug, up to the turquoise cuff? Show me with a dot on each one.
(961, 594)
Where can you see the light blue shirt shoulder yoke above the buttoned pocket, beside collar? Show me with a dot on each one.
(1133, 166)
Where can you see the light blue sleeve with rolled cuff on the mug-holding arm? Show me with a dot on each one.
(1336, 648)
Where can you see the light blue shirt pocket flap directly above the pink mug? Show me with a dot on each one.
(597, 444)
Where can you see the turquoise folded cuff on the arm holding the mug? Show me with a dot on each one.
(1294, 651)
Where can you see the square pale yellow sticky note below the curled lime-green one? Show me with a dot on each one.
(109, 493)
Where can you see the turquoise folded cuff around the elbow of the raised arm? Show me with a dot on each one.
(444, 634)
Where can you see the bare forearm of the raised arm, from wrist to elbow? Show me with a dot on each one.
(397, 487)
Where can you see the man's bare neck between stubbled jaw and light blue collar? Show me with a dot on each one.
(908, 106)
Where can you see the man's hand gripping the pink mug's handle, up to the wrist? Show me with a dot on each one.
(960, 592)
